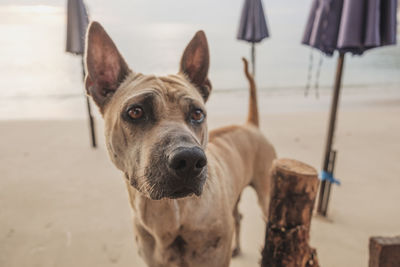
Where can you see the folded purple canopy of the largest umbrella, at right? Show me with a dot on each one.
(351, 25)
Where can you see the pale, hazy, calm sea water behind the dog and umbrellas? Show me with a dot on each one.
(40, 80)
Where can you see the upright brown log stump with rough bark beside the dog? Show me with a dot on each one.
(293, 192)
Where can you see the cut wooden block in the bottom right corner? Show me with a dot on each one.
(384, 251)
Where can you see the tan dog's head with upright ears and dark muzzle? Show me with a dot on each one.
(155, 127)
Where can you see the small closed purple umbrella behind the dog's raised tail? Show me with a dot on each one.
(253, 26)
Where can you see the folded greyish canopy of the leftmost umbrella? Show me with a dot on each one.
(77, 23)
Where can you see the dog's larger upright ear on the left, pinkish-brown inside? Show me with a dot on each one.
(105, 67)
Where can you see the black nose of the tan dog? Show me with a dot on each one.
(187, 162)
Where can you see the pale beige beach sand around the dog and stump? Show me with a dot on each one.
(64, 204)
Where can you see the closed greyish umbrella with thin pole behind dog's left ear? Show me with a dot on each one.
(77, 23)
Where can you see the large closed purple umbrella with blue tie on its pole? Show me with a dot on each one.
(346, 26)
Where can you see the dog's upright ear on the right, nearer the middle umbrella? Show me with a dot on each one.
(195, 63)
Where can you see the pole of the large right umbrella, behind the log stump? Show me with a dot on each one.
(328, 164)
